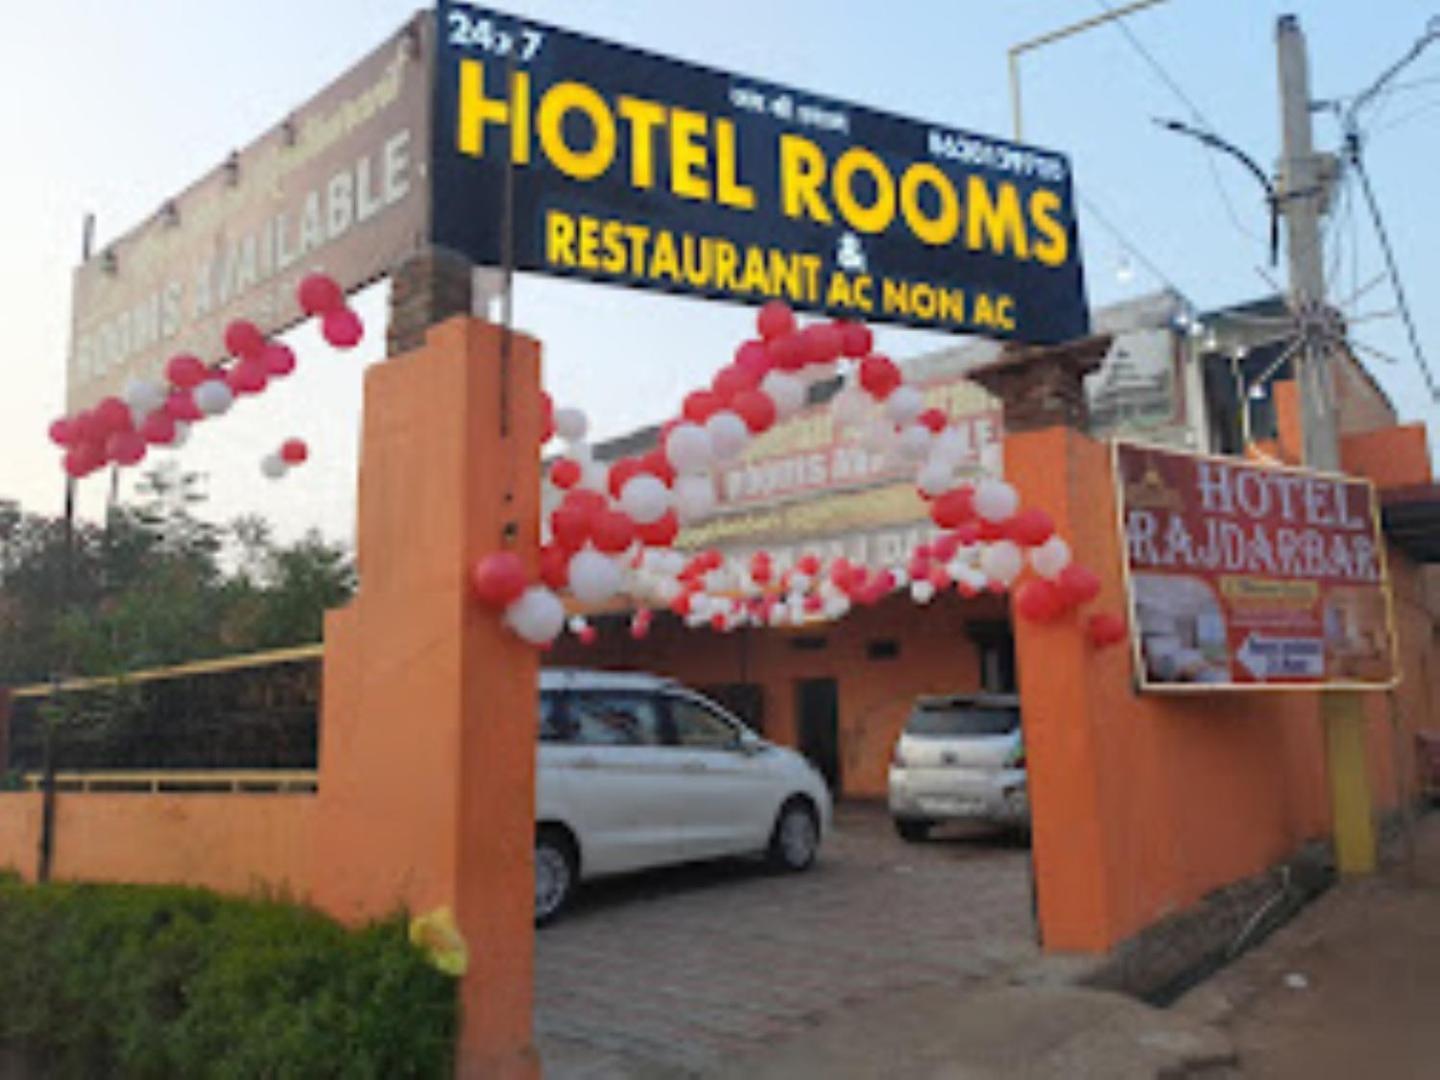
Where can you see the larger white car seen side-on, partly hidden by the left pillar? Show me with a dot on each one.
(636, 773)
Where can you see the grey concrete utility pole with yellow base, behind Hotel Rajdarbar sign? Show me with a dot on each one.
(1301, 192)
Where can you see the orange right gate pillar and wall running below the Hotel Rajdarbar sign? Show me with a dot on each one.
(1144, 804)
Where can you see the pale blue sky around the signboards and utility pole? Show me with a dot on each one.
(113, 109)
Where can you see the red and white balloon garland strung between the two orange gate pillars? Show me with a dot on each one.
(613, 528)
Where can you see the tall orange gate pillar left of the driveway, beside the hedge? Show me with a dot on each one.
(428, 738)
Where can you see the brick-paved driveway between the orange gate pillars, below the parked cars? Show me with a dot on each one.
(673, 973)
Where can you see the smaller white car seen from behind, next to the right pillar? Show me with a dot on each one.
(961, 758)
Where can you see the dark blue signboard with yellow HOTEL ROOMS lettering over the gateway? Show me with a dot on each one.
(642, 171)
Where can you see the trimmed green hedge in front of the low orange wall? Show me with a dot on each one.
(145, 981)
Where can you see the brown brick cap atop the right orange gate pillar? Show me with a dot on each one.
(1043, 387)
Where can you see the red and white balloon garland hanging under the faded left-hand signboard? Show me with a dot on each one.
(161, 413)
